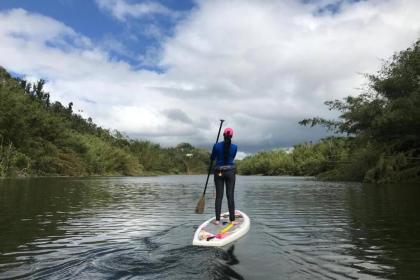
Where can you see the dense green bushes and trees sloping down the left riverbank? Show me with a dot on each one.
(40, 138)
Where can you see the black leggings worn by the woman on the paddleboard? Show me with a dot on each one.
(220, 178)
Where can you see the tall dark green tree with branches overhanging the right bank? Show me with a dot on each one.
(384, 120)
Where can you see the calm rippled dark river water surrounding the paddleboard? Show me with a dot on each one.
(142, 228)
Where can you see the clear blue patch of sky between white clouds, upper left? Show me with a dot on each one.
(133, 40)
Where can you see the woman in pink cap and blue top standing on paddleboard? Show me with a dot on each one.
(224, 173)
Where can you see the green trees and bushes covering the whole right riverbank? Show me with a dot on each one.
(382, 126)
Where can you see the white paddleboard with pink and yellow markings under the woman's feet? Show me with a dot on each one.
(209, 234)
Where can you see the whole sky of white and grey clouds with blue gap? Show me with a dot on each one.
(168, 70)
